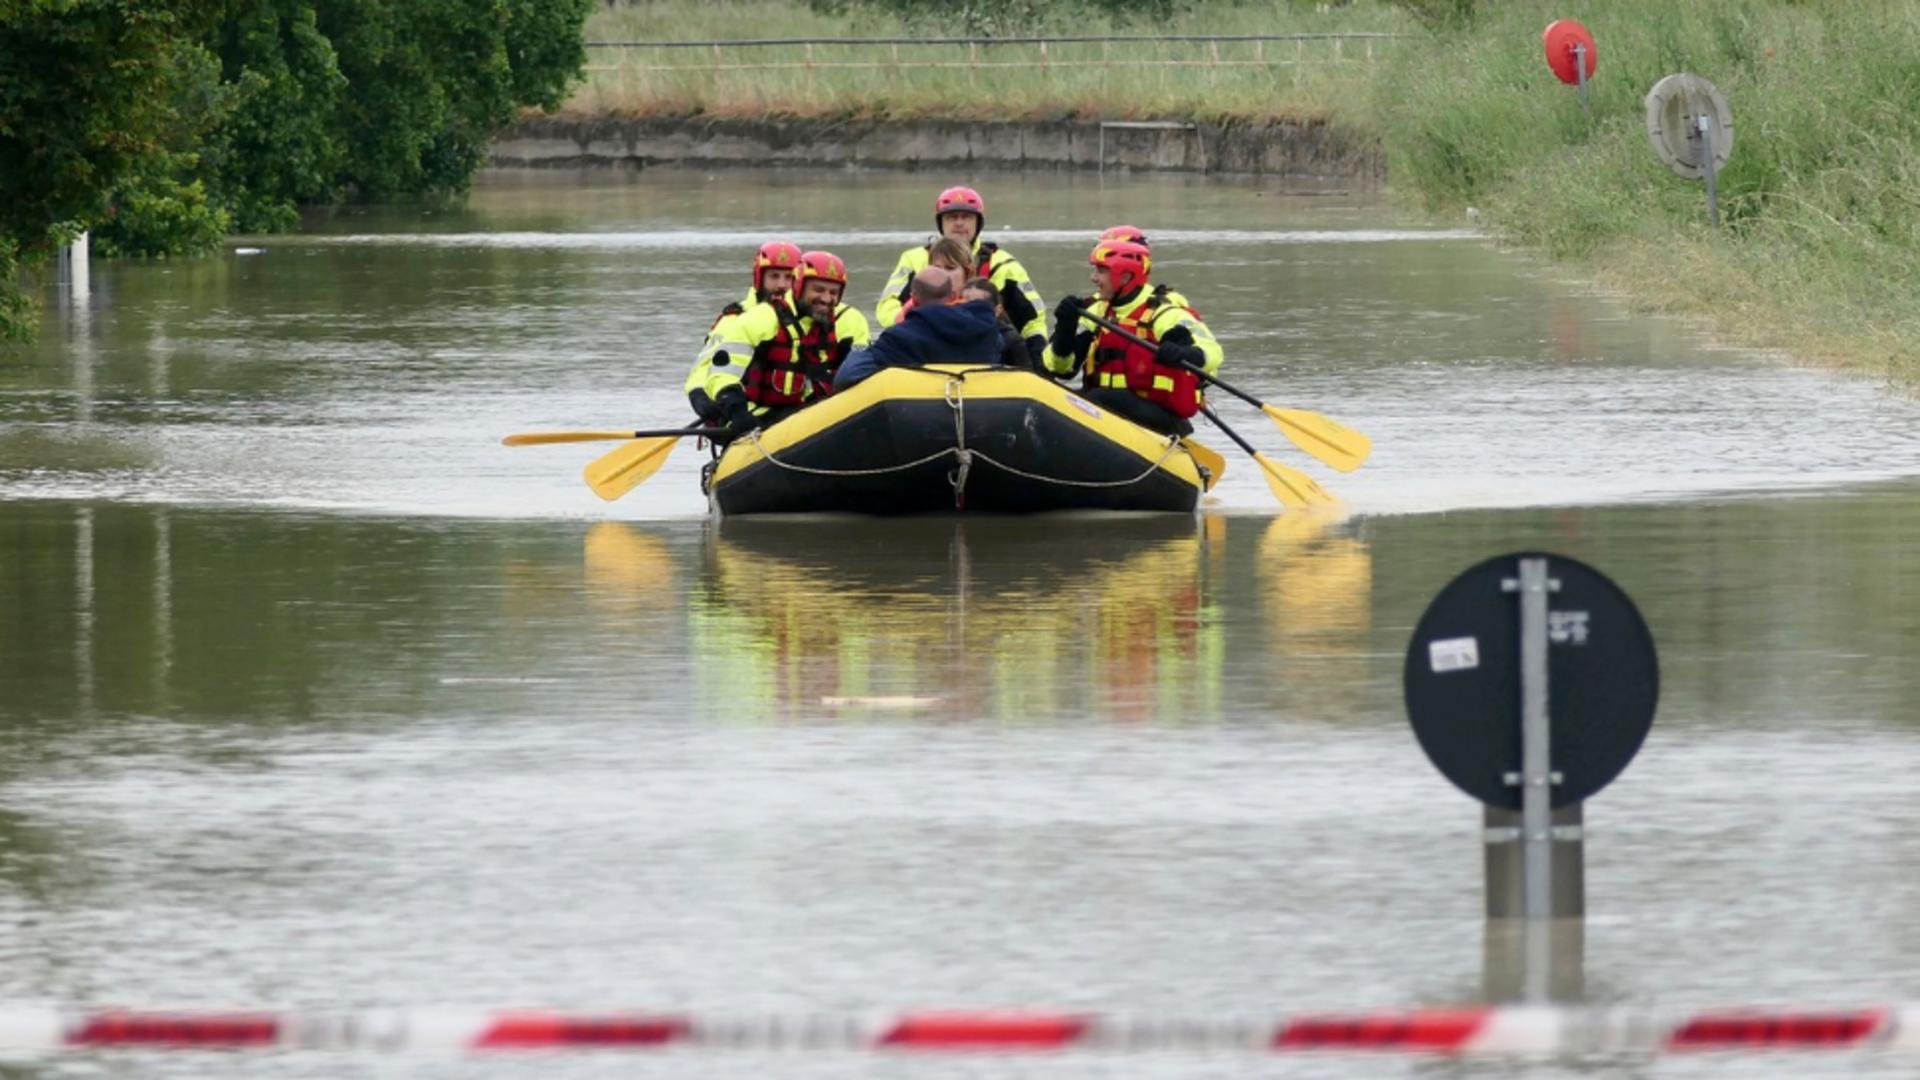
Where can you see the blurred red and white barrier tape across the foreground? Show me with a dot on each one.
(1468, 1033)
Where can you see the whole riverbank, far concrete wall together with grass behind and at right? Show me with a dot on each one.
(1821, 241)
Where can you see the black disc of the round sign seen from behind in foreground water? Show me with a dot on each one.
(1464, 681)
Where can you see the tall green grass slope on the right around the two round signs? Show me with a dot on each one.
(1821, 201)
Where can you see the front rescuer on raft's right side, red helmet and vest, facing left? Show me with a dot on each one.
(1149, 385)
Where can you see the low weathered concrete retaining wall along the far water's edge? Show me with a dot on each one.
(1249, 149)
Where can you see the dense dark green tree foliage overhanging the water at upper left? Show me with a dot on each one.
(164, 124)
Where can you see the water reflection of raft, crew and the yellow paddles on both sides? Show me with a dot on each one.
(1015, 620)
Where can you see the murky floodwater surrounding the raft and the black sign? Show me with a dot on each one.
(314, 695)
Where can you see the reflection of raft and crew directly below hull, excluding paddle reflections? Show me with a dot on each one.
(1007, 618)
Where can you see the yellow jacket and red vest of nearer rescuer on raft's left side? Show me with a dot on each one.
(775, 356)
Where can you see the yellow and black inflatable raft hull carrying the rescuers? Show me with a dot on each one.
(940, 439)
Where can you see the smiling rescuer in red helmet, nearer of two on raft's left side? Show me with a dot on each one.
(763, 364)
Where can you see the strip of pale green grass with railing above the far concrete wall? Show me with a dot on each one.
(1007, 82)
